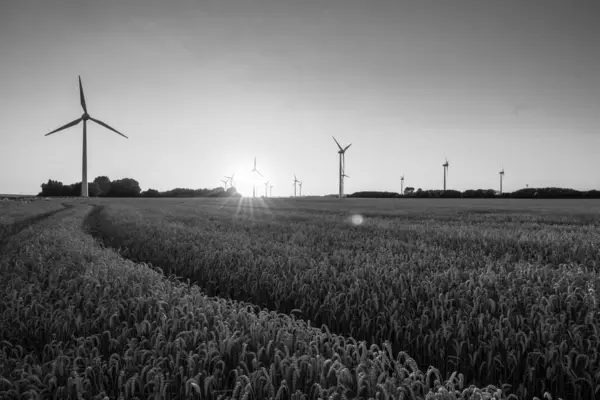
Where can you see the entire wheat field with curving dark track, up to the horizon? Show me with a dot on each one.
(301, 298)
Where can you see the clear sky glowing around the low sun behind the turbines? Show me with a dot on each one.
(203, 87)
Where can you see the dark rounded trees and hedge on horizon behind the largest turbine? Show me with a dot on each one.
(102, 186)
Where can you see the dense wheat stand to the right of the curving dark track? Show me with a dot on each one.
(510, 306)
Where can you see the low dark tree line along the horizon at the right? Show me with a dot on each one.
(528, 193)
